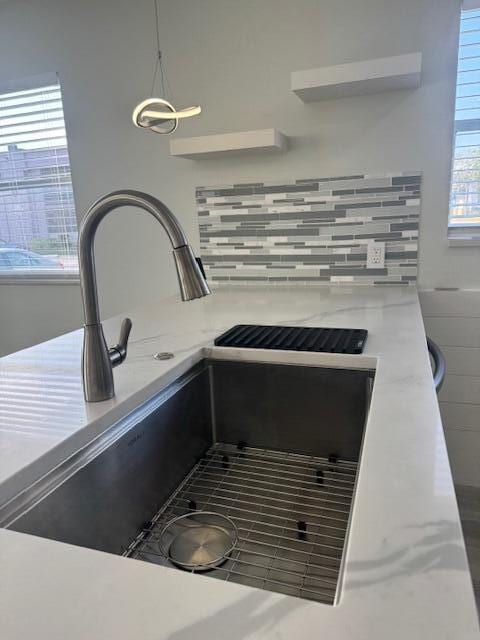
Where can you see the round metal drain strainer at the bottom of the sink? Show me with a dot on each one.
(199, 541)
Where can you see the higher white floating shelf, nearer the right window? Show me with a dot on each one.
(358, 78)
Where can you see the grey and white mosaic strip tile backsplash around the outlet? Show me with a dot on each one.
(311, 231)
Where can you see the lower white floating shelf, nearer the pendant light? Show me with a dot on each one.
(228, 143)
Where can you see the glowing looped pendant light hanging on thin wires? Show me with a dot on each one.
(158, 114)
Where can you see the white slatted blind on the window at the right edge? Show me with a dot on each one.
(465, 188)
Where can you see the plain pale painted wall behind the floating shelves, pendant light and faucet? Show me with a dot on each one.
(234, 58)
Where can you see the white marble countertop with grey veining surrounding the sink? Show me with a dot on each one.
(405, 573)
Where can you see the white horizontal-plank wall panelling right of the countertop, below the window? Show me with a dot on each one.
(452, 319)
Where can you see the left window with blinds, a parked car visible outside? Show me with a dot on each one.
(38, 225)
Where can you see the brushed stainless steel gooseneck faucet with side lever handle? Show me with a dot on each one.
(98, 360)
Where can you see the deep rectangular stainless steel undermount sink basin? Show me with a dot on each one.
(273, 447)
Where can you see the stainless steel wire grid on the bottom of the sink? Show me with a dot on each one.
(291, 512)
